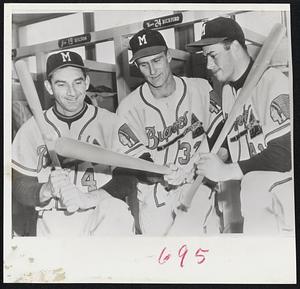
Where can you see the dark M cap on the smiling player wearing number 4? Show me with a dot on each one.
(62, 59)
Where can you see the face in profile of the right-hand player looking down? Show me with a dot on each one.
(220, 61)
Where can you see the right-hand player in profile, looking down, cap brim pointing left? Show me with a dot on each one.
(259, 142)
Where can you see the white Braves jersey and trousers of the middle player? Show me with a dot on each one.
(174, 129)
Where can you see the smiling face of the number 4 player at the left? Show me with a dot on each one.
(68, 85)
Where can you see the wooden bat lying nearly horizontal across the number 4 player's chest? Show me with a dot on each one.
(93, 153)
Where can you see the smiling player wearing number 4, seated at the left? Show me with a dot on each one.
(71, 200)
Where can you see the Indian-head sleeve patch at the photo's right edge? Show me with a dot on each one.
(280, 108)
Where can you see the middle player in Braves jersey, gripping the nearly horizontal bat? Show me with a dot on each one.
(173, 116)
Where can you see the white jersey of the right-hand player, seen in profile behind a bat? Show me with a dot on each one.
(264, 117)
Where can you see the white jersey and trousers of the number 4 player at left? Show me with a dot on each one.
(93, 125)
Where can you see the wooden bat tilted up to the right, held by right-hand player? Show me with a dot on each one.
(260, 64)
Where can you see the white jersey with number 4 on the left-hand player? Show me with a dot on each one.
(92, 125)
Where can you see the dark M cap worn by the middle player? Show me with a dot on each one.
(147, 42)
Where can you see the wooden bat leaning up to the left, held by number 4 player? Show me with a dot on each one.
(36, 109)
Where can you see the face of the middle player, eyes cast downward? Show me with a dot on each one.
(155, 68)
